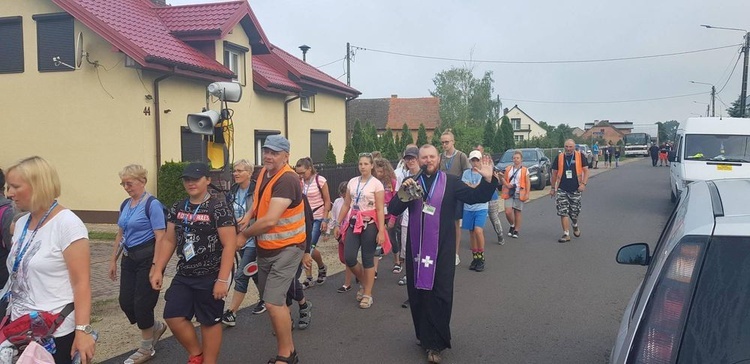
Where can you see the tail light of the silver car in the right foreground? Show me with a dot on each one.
(661, 328)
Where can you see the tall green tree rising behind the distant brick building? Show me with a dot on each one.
(465, 98)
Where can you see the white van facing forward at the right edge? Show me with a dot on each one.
(709, 148)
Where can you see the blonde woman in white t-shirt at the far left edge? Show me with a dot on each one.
(49, 261)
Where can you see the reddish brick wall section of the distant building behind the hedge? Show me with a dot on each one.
(414, 112)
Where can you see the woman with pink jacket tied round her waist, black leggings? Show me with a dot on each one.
(364, 220)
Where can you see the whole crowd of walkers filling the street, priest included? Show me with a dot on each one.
(274, 224)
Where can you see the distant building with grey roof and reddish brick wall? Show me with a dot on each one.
(394, 112)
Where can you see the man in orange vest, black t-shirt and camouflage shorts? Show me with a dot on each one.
(570, 173)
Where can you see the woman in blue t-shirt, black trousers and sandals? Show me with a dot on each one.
(141, 227)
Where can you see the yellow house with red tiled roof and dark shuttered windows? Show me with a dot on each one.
(95, 85)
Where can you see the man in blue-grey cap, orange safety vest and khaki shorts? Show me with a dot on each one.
(280, 238)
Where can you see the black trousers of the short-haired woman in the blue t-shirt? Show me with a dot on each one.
(137, 298)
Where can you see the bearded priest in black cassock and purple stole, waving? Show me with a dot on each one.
(431, 245)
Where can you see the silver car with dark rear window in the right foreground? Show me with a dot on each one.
(692, 306)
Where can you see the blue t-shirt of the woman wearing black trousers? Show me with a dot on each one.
(137, 229)
